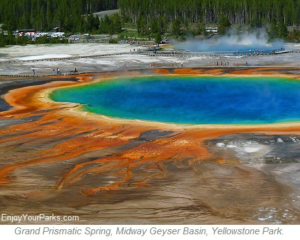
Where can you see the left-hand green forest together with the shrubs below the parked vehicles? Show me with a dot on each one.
(44, 15)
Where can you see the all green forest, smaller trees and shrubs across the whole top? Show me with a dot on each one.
(151, 18)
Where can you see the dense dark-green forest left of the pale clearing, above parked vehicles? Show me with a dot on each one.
(44, 15)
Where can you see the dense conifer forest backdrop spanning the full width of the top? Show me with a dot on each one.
(44, 15)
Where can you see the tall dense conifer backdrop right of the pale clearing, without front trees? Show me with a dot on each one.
(210, 11)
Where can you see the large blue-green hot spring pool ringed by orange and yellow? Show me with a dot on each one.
(191, 100)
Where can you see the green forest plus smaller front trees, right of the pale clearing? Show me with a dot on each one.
(190, 17)
